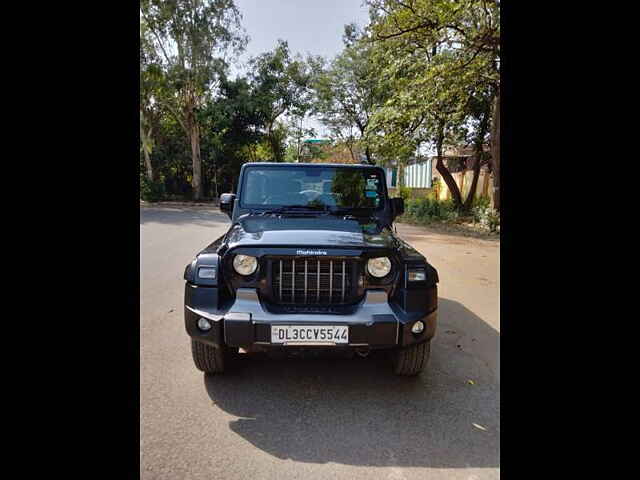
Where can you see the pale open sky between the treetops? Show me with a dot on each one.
(309, 26)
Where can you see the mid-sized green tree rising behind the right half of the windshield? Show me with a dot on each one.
(347, 92)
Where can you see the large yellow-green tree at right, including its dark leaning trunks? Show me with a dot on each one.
(448, 50)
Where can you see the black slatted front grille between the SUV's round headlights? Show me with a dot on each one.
(313, 281)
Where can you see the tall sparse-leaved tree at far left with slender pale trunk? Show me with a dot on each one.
(190, 39)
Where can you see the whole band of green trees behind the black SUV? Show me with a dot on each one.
(420, 73)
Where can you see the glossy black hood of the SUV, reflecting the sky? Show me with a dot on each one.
(308, 232)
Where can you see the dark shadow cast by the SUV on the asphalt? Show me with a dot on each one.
(356, 412)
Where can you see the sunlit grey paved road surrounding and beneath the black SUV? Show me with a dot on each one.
(319, 419)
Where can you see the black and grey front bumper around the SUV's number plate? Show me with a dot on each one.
(376, 323)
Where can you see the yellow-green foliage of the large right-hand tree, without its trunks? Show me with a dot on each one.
(439, 62)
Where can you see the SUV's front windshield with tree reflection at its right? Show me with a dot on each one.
(314, 187)
